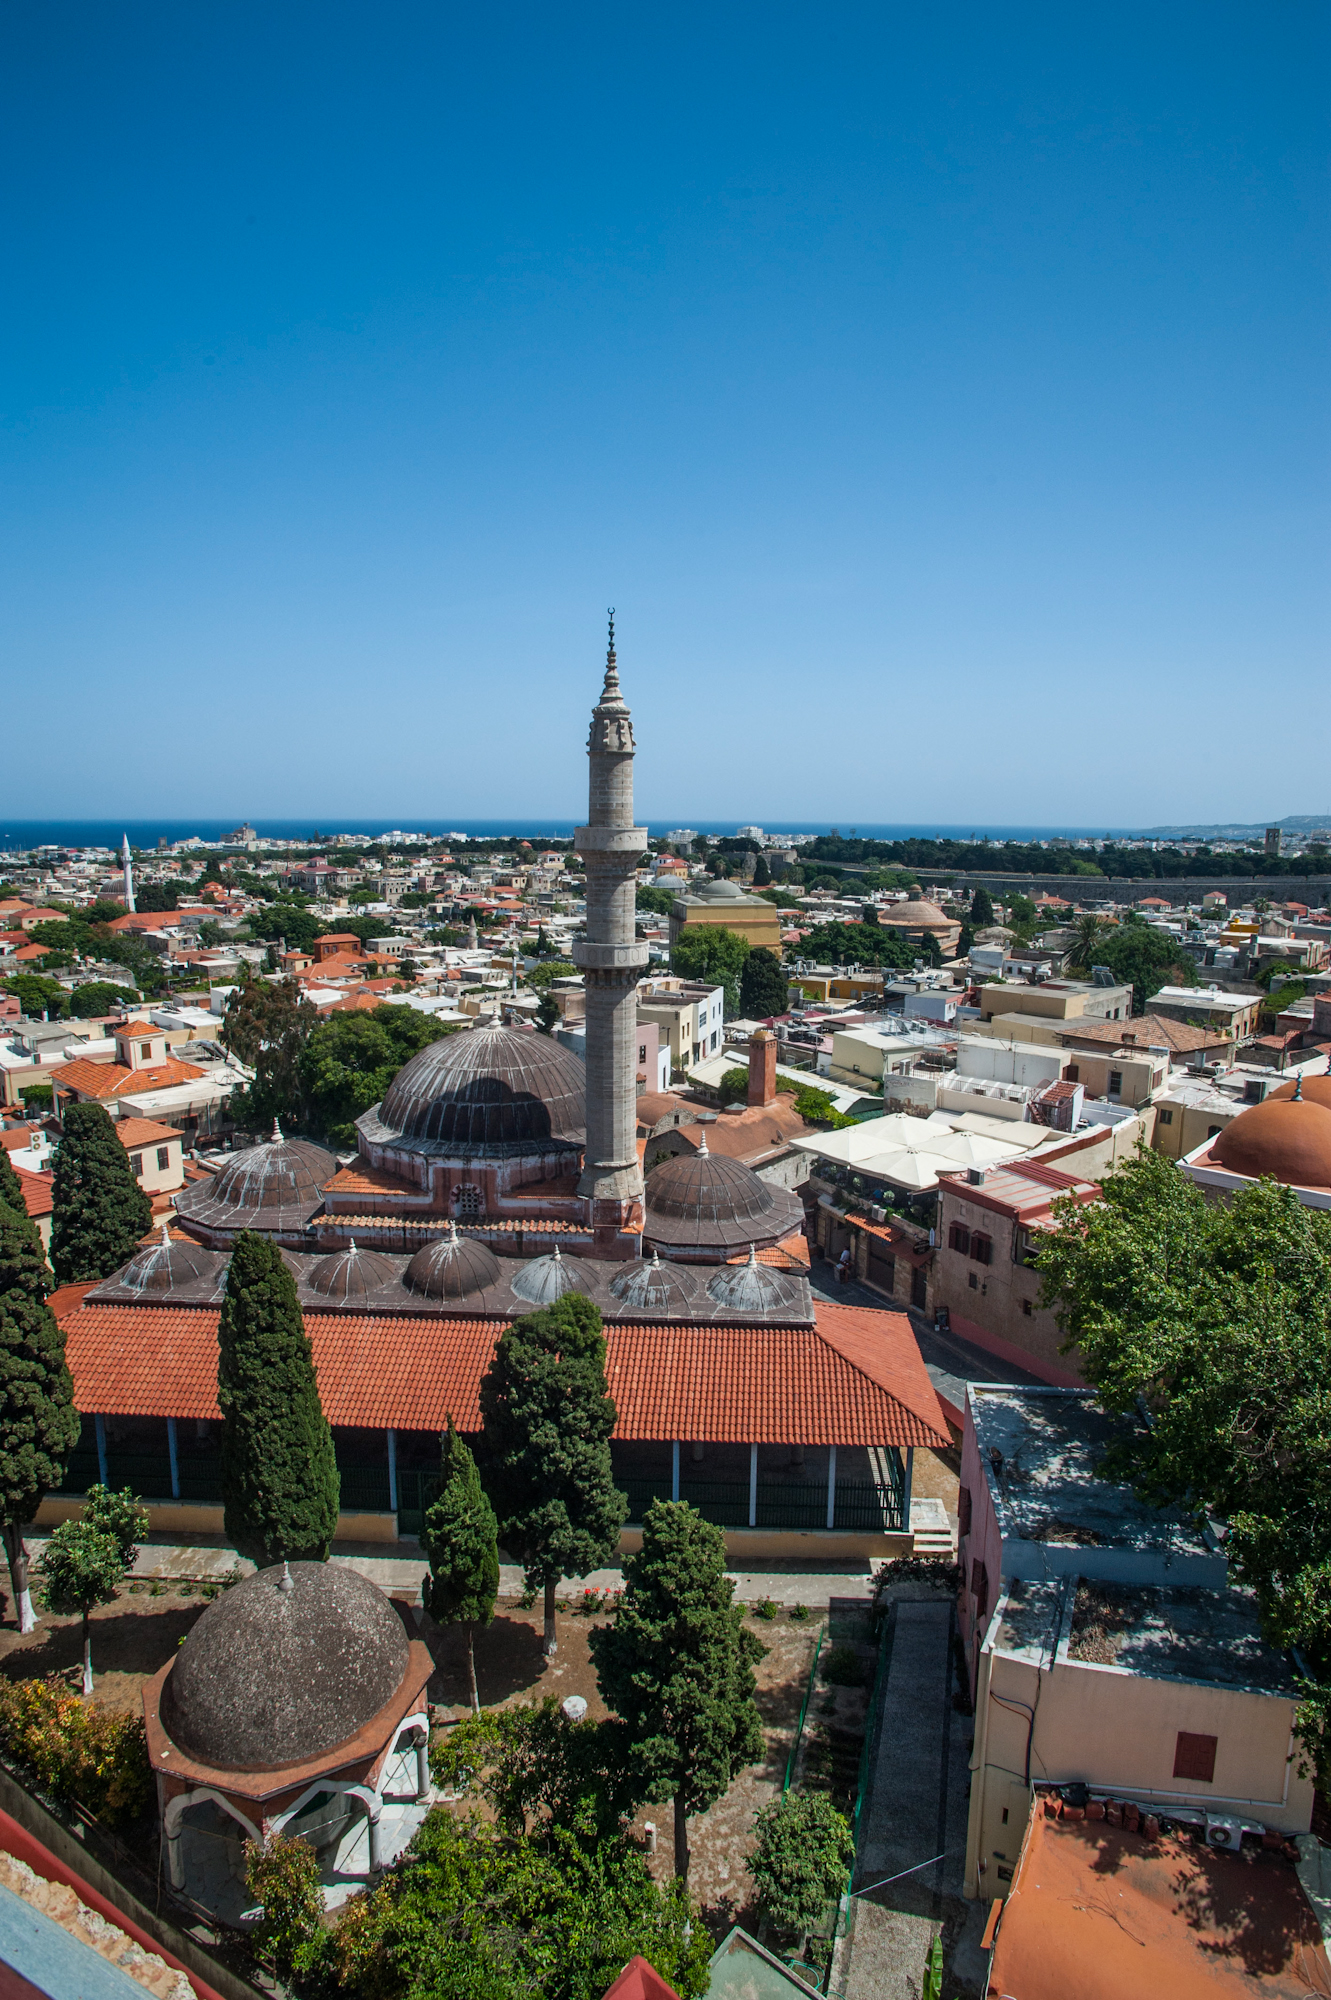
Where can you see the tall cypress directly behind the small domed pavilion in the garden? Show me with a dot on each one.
(279, 1471)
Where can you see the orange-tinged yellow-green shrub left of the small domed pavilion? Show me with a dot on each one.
(75, 1751)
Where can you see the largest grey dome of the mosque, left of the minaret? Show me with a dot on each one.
(491, 1087)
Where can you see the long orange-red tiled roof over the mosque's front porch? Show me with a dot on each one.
(856, 1379)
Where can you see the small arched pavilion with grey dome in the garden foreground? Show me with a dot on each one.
(295, 1707)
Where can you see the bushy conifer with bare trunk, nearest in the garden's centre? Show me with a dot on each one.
(678, 1667)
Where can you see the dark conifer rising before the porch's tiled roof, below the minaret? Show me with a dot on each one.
(549, 1421)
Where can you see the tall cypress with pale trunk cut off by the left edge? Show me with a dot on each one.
(39, 1423)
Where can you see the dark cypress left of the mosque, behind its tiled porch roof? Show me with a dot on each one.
(101, 1213)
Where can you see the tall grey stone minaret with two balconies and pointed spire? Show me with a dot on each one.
(613, 963)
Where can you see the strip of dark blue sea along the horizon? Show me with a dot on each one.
(27, 835)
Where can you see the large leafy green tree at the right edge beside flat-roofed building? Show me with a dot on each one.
(1216, 1321)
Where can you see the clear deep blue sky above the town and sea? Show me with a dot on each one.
(938, 395)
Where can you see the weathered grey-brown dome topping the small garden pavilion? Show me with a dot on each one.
(285, 1667)
